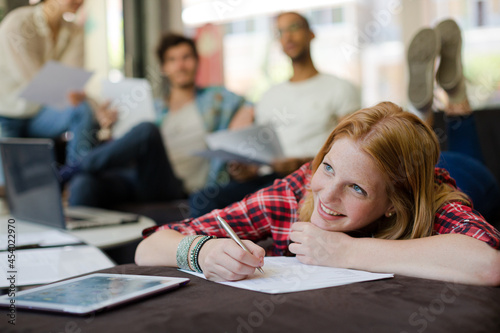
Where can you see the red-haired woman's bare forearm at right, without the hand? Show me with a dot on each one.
(450, 257)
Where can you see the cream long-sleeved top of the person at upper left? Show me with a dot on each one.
(26, 44)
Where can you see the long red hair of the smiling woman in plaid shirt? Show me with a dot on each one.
(406, 150)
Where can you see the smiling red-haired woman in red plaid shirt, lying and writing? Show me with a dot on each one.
(372, 199)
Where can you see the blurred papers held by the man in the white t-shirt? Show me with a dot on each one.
(257, 144)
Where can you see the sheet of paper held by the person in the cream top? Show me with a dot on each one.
(53, 82)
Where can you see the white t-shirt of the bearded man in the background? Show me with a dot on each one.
(304, 113)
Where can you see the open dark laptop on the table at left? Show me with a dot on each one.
(34, 192)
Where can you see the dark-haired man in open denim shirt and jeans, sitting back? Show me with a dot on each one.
(162, 154)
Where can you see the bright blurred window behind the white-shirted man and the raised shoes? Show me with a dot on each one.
(361, 41)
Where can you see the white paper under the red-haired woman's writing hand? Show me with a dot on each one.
(288, 274)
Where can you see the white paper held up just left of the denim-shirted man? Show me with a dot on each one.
(133, 98)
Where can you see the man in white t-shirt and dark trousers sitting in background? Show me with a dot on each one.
(303, 110)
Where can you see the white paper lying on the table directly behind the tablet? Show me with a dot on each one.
(45, 265)
